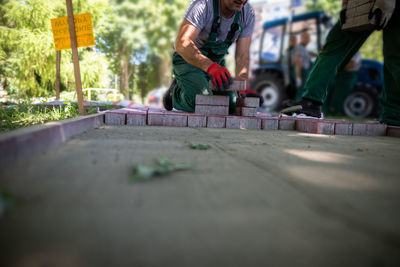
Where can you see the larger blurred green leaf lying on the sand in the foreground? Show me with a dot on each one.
(160, 167)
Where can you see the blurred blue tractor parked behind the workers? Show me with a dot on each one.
(272, 79)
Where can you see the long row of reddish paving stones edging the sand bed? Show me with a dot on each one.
(141, 116)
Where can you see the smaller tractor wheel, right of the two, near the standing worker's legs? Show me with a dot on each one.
(362, 103)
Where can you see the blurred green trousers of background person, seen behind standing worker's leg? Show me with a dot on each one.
(338, 91)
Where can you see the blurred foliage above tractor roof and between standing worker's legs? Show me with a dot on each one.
(371, 49)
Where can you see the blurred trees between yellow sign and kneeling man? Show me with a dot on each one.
(138, 34)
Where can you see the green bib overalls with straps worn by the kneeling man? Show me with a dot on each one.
(191, 80)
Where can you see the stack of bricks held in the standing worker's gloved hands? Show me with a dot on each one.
(357, 13)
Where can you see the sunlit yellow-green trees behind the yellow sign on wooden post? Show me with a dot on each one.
(27, 51)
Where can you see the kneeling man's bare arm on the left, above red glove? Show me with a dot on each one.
(186, 48)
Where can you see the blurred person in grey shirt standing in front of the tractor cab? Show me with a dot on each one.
(302, 63)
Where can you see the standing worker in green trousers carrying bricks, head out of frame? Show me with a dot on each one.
(340, 48)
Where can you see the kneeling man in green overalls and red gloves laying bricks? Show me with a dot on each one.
(207, 31)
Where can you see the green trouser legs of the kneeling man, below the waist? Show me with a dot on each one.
(191, 81)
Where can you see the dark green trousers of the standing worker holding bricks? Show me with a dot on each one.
(339, 49)
